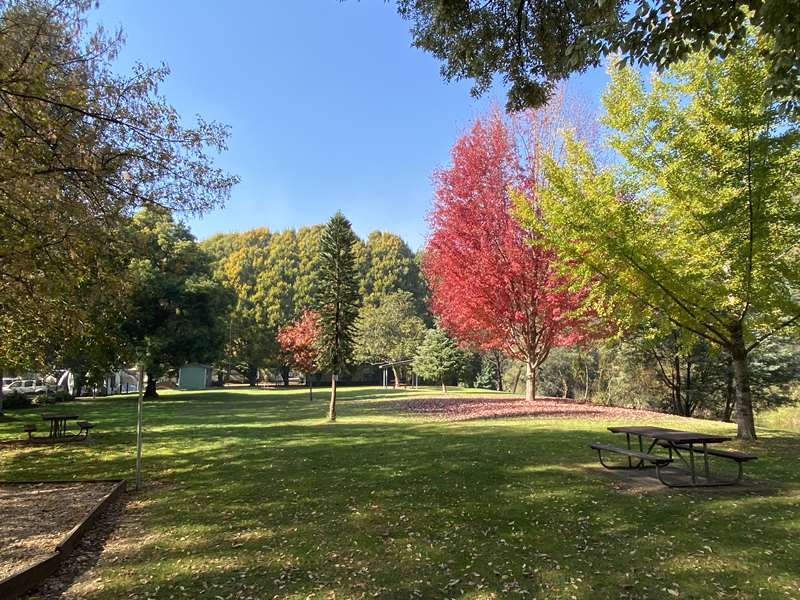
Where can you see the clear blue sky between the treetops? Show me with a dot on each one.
(329, 105)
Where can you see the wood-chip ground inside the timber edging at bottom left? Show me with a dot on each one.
(35, 517)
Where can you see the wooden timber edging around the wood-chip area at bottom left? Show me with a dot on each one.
(18, 583)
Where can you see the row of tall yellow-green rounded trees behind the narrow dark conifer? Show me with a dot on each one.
(275, 276)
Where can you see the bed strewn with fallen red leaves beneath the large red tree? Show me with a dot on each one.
(470, 407)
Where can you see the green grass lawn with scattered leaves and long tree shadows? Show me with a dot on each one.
(252, 494)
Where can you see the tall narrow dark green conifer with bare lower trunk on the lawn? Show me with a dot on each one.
(338, 299)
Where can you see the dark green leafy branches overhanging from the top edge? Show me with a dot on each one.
(533, 45)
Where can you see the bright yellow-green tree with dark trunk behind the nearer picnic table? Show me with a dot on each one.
(700, 221)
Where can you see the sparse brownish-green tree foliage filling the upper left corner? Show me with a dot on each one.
(81, 147)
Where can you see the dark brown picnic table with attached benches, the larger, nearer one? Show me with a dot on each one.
(677, 443)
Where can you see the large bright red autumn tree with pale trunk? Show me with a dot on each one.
(492, 286)
